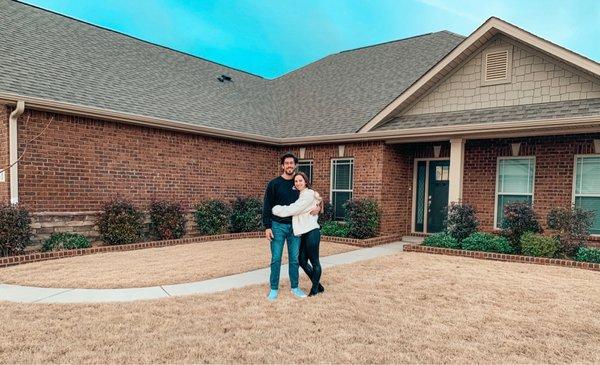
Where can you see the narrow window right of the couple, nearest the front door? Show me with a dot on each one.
(342, 171)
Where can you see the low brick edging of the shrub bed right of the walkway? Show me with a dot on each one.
(503, 257)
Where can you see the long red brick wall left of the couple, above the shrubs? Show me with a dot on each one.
(79, 163)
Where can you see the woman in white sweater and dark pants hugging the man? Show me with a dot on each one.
(305, 225)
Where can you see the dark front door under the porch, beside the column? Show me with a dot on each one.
(437, 202)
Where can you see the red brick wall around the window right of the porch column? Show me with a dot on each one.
(553, 171)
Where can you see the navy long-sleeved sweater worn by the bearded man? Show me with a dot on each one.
(279, 192)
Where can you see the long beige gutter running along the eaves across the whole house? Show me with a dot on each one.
(471, 131)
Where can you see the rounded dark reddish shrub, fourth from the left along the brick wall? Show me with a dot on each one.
(167, 220)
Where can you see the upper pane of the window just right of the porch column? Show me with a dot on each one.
(516, 176)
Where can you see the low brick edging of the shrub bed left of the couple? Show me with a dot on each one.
(43, 256)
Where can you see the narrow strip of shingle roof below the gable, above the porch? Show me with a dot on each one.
(553, 110)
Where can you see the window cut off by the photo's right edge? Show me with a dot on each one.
(587, 187)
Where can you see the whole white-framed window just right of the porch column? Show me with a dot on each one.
(514, 183)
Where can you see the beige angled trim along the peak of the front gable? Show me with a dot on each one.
(491, 26)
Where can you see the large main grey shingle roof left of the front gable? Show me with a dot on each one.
(46, 55)
